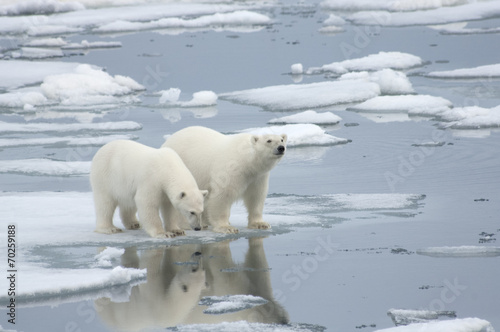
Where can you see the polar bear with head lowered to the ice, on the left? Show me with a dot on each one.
(138, 178)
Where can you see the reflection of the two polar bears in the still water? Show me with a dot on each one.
(178, 277)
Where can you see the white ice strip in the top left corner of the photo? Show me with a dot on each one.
(39, 7)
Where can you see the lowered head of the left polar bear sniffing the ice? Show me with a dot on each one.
(190, 205)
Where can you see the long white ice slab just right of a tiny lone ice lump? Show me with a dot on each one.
(372, 62)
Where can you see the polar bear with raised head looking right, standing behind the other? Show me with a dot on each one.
(231, 167)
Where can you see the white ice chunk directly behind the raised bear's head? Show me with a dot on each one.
(300, 134)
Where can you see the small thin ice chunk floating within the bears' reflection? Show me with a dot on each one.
(218, 305)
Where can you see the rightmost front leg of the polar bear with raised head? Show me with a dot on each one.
(254, 198)
